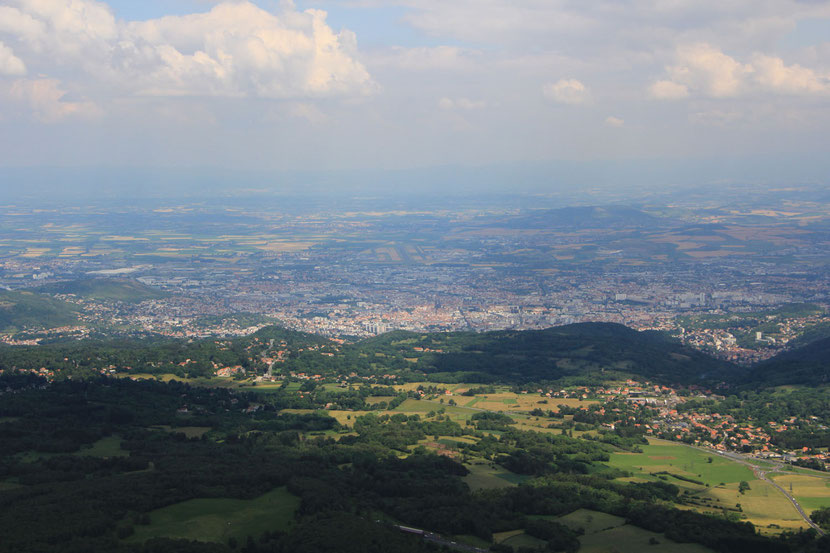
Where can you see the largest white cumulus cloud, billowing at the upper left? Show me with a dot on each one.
(234, 50)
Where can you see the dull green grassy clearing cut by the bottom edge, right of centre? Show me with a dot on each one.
(631, 539)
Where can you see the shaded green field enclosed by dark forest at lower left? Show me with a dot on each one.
(217, 520)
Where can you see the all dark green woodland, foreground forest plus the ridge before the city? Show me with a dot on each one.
(352, 484)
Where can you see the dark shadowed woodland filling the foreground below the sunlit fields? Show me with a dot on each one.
(59, 499)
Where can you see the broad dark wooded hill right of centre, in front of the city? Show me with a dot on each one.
(585, 349)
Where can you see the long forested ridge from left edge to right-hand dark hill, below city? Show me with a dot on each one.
(587, 352)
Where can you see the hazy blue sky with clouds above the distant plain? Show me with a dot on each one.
(332, 85)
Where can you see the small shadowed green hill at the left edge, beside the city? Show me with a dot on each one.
(22, 309)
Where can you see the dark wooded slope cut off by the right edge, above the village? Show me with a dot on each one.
(808, 365)
